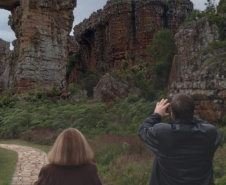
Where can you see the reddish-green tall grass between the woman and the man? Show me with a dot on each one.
(122, 160)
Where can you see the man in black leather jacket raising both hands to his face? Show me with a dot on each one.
(184, 148)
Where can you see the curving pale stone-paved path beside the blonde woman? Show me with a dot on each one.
(30, 161)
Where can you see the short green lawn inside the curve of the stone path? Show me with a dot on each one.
(8, 162)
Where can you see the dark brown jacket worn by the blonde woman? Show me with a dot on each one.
(68, 175)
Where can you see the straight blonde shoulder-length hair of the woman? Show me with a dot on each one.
(70, 148)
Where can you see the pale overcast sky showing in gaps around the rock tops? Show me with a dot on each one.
(83, 10)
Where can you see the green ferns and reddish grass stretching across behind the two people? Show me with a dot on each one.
(111, 129)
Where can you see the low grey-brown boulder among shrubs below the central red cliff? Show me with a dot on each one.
(108, 88)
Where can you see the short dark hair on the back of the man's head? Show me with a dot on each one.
(182, 106)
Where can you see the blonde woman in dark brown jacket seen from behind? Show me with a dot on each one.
(69, 162)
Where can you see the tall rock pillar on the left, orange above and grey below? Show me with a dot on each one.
(40, 53)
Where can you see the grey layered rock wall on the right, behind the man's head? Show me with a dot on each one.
(199, 69)
